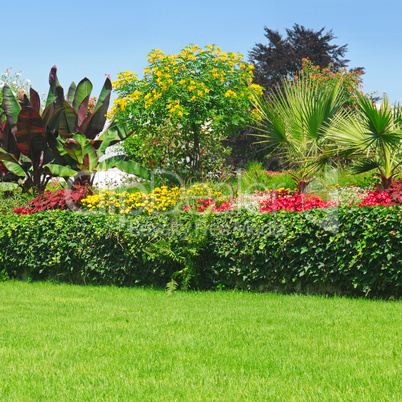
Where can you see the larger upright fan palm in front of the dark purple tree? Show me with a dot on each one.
(296, 118)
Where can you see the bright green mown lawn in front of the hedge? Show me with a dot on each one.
(61, 342)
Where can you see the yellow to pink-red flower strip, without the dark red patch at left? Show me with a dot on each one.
(201, 198)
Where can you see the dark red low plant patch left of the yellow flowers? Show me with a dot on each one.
(61, 199)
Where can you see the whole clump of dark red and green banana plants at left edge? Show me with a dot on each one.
(64, 140)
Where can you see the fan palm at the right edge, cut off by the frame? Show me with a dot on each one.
(373, 136)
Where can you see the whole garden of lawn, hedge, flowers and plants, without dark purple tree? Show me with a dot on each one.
(236, 282)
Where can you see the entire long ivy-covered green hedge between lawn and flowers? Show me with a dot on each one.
(342, 250)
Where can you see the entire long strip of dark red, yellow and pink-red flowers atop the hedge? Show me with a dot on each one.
(202, 198)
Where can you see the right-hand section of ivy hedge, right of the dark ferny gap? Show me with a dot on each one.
(348, 248)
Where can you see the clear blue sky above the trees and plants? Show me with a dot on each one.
(90, 38)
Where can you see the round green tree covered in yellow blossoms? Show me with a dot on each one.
(203, 93)
